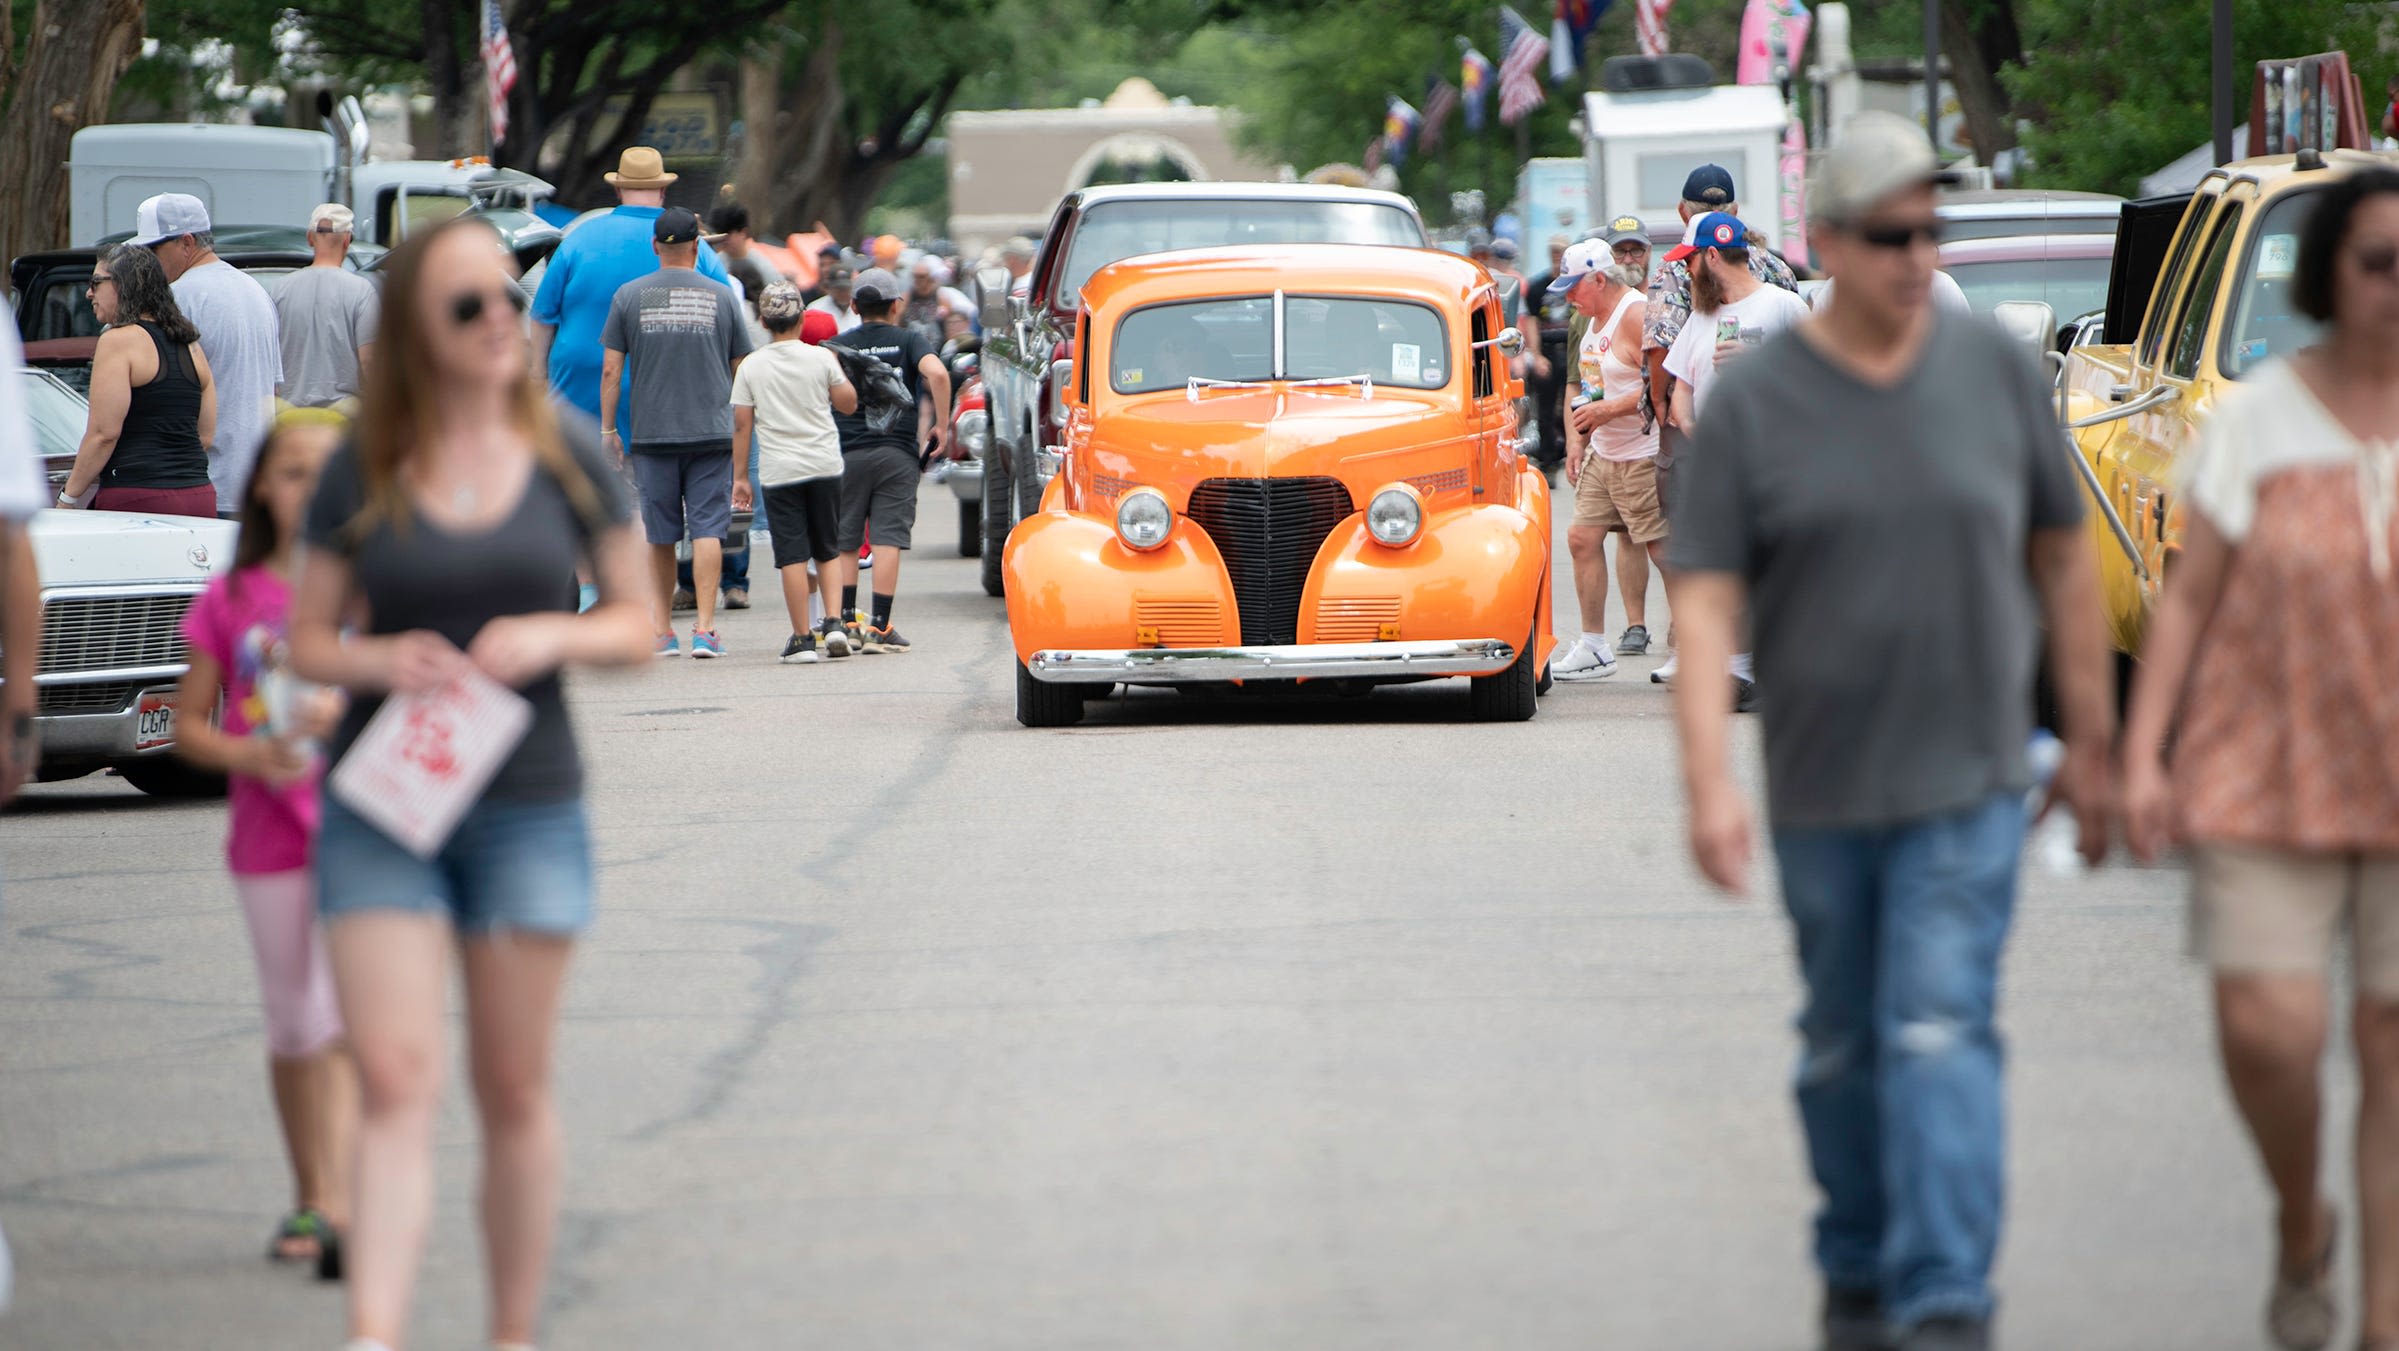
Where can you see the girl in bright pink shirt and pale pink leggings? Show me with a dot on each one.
(236, 637)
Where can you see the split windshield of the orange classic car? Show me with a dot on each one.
(1325, 337)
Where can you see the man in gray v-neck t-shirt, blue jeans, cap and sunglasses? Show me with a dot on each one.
(1887, 491)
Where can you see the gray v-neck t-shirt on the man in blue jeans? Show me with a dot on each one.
(1882, 534)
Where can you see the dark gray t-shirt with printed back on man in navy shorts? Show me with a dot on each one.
(680, 337)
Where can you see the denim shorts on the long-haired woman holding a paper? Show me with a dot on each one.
(512, 865)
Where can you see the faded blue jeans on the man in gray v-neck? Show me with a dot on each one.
(1899, 1083)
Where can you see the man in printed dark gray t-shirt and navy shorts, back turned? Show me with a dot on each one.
(683, 337)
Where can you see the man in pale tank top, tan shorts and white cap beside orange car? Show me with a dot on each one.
(1611, 448)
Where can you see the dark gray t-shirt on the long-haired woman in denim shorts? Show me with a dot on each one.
(416, 575)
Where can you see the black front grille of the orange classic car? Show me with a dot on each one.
(1270, 532)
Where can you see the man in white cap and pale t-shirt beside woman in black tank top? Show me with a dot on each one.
(239, 332)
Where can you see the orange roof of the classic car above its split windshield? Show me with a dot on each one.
(1373, 270)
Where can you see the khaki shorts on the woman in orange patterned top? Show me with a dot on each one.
(2261, 911)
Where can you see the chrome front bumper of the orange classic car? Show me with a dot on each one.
(1297, 661)
